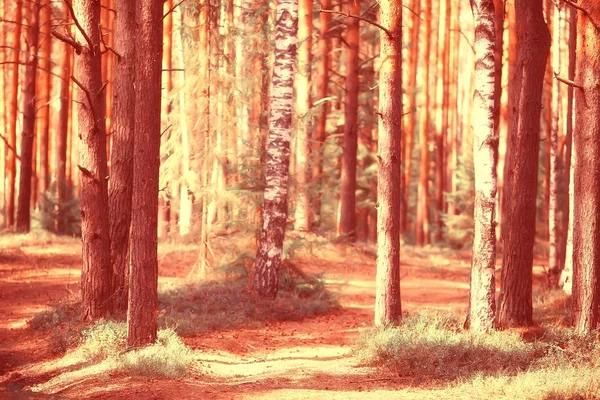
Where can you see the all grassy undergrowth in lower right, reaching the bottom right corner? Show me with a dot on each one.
(433, 347)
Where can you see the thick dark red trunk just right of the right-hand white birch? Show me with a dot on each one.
(521, 184)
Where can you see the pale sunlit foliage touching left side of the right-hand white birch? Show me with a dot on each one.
(458, 228)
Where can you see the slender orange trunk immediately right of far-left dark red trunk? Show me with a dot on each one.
(43, 117)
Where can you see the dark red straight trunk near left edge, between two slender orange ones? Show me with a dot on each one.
(28, 136)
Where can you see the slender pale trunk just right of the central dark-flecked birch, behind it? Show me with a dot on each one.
(303, 110)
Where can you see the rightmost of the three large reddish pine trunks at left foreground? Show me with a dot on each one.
(143, 300)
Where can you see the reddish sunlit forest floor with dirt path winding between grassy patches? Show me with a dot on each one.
(304, 359)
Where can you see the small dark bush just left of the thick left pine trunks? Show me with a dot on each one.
(51, 209)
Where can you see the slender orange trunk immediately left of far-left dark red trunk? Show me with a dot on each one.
(12, 118)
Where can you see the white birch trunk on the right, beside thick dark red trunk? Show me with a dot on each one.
(482, 304)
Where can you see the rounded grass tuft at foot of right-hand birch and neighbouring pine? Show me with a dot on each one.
(433, 346)
